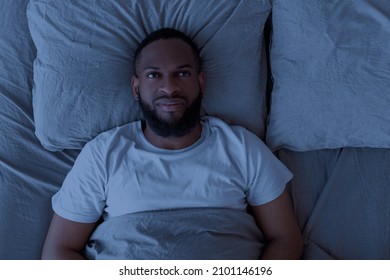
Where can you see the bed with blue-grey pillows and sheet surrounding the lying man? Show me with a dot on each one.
(311, 78)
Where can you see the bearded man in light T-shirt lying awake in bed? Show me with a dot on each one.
(173, 159)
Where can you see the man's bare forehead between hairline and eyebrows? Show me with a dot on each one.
(166, 52)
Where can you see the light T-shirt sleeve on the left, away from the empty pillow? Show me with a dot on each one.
(81, 197)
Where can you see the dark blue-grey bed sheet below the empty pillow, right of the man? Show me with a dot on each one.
(342, 199)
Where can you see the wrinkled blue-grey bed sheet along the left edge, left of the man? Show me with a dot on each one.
(29, 175)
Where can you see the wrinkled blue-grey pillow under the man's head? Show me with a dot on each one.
(84, 62)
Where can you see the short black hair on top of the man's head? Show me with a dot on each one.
(167, 33)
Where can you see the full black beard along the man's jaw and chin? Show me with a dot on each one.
(176, 128)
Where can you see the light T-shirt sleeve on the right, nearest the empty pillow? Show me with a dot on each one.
(267, 175)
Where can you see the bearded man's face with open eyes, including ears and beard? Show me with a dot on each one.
(168, 86)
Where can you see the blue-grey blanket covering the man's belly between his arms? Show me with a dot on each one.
(202, 233)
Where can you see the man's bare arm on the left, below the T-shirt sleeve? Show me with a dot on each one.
(66, 239)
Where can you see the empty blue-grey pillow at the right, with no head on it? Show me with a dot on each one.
(331, 69)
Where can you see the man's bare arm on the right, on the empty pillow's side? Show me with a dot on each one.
(277, 221)
